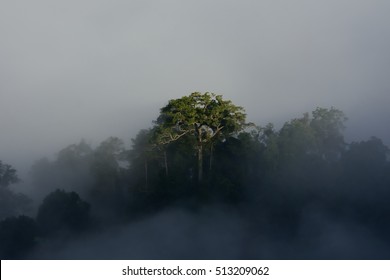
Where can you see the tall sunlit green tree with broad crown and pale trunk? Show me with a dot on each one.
(205, 117)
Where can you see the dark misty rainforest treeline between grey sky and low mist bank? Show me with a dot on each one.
(202, 151)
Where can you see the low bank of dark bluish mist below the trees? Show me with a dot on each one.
(217, 233)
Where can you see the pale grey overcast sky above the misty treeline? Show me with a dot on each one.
(92, 68)
